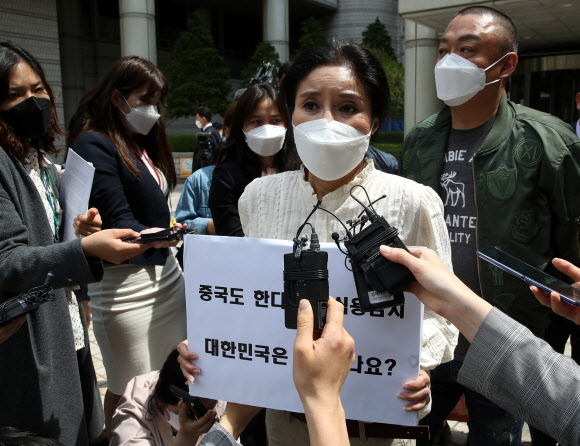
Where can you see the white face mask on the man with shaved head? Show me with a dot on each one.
(457, 79)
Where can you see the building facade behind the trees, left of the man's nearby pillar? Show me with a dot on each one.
(77, 41)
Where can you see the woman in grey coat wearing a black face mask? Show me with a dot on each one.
(47, 379)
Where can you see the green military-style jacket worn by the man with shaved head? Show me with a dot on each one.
(527, 196)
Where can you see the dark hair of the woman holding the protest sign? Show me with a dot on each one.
(366, 68)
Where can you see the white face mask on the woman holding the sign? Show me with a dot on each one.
(330, 150)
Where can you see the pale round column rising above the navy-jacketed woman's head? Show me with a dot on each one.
(138, 37)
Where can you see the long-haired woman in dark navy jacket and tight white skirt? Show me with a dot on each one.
(138, 309)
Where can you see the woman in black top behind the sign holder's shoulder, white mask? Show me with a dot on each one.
(255, 147)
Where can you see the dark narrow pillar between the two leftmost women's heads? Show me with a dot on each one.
(69, 26)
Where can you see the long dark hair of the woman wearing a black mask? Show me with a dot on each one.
(10, 56)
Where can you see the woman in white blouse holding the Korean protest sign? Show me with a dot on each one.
(337, 95)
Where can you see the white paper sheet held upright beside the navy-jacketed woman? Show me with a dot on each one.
(75, 190)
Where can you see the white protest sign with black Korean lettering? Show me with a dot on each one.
(235, 323)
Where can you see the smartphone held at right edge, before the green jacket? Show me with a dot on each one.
(530, 275)
